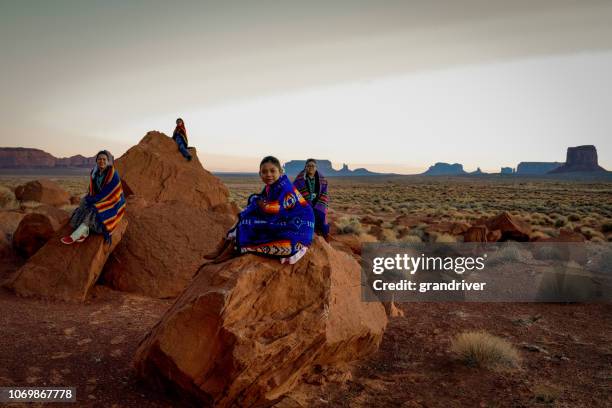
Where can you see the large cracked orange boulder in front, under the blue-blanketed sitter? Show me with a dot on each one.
(247, 331)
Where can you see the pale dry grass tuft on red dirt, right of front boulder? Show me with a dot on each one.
(481, 349)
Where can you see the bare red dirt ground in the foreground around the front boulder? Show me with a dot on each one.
(91, 345)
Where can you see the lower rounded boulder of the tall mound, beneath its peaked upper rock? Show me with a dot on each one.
(164, 247)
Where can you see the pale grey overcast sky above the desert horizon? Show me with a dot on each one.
(390, 85)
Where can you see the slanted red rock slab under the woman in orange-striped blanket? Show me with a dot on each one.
(65, 272)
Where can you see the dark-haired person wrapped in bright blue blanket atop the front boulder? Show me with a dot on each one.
(277, 223)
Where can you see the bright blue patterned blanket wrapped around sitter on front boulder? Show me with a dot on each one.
(279, 226)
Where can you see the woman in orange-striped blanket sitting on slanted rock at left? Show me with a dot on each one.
(104, 205)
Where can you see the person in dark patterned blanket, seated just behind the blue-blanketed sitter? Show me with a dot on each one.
(313, 187)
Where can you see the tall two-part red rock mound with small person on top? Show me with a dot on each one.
(178, 212)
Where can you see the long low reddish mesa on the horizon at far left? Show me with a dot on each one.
(25, 158)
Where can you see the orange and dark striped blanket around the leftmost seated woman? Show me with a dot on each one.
(108, 202)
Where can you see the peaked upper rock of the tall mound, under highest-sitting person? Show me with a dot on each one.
(155, 171)
